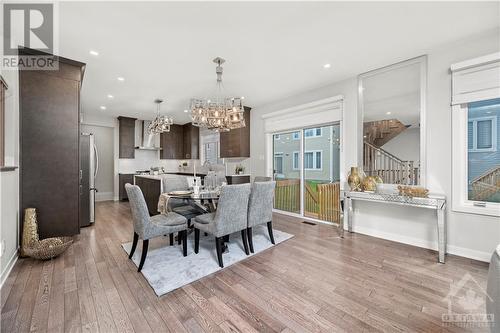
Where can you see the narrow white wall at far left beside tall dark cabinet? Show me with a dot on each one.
(9, 181)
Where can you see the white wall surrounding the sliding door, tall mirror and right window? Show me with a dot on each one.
(473, 236)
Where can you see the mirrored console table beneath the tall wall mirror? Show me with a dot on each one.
(436, 202)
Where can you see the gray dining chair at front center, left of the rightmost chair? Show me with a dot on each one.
(230, 216)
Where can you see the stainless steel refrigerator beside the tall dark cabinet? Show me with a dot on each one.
(89, 166)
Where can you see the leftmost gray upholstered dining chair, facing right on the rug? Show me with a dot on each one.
(146, 227)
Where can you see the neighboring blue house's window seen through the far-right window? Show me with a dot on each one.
(481, 131)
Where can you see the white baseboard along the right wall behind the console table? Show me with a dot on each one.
(451, 249)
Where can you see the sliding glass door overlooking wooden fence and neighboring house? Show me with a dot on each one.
(307, 172)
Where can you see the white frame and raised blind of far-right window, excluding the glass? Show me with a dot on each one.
(471, 83)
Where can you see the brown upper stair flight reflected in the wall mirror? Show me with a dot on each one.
(380, 132)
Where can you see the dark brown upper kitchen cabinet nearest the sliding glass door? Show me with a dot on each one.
(236, 143)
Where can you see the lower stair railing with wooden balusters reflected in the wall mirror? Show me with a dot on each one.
(392, 170)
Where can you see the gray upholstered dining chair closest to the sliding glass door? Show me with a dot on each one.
(260, 209)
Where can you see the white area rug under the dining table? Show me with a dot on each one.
(166, 269)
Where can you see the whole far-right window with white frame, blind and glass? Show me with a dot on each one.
(475, 136)
